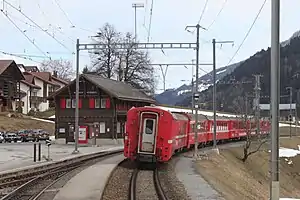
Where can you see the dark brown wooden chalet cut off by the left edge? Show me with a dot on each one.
(10, 93)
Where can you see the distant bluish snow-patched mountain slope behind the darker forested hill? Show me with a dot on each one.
(178, 95)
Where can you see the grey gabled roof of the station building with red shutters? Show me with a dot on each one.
(117, 89)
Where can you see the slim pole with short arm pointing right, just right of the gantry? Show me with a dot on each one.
(215, 89)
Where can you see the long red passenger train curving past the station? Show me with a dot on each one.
(154, 135)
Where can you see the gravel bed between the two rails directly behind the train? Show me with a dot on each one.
(145, 189)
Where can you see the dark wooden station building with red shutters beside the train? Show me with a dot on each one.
(103, 105)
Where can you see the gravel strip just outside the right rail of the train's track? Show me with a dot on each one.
(172, 187)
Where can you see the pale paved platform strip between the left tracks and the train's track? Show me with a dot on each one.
(89, 183)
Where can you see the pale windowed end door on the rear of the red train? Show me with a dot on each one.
(148, 131)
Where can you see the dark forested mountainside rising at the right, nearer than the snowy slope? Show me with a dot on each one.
(231, 97)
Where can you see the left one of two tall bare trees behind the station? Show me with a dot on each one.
(104, 61)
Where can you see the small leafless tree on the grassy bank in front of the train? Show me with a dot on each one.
(253, 142)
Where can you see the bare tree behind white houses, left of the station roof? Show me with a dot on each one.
(63, 68)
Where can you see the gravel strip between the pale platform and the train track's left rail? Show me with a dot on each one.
(118, 185)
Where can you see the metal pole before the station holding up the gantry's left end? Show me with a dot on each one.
(77, 100)
